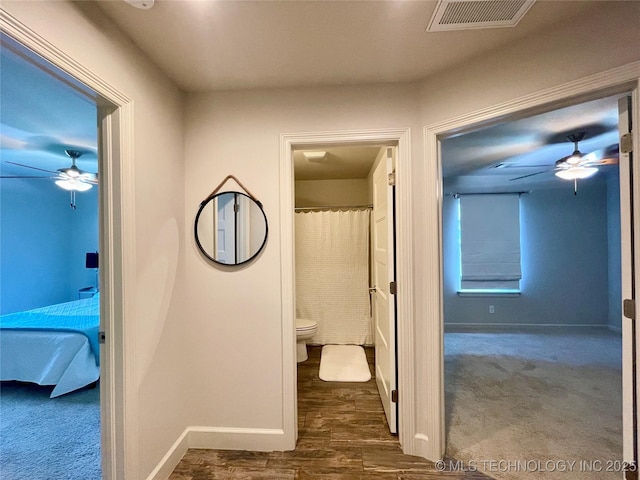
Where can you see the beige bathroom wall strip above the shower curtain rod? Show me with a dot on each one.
(310, 193)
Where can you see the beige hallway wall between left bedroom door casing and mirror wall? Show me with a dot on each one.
(160, 374)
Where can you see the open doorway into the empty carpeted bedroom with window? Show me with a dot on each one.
(553, 345)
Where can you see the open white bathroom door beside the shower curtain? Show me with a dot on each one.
(383, 273)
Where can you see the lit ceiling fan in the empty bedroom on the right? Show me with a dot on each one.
(577, 165)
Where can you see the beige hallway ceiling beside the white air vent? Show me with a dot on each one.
(214, 45)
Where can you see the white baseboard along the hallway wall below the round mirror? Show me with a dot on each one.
(217, 438)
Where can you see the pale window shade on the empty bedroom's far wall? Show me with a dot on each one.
(490, 242)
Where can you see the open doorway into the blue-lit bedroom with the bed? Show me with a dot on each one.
(51, 300)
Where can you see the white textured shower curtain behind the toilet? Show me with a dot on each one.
(332, 275)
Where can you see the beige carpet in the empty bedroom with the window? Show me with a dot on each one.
(528, 418)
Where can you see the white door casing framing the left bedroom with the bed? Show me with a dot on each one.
(114, 122)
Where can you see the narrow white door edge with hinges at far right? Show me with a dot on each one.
(630, 387)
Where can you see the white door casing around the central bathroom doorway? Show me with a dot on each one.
(404, 264)
